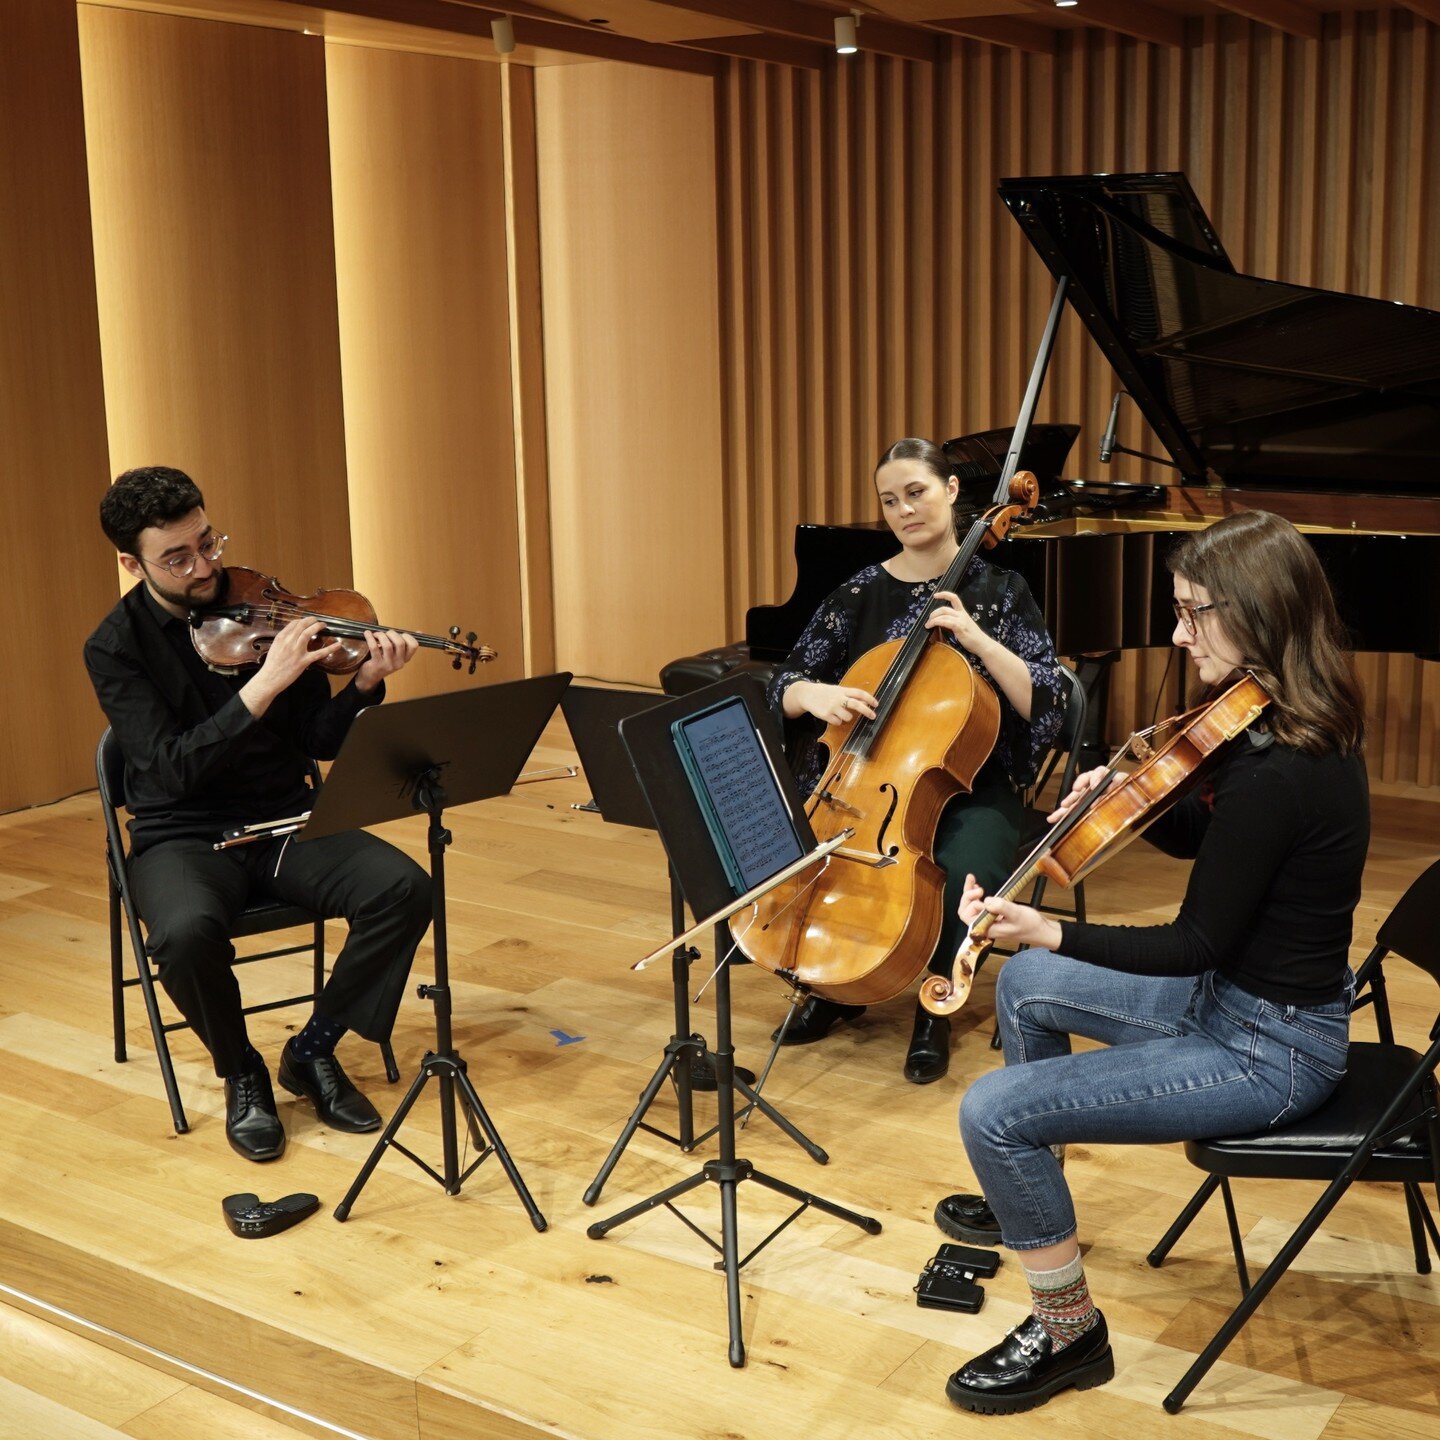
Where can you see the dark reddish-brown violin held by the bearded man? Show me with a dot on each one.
(256, 607)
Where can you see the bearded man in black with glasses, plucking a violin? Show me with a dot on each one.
(208, 752)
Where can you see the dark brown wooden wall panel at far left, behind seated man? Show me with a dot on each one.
(54, 469)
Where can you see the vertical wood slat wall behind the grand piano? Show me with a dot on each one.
(873, 286)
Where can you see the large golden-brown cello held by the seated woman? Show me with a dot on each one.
(860, 934)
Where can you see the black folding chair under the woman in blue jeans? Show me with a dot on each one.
(1380, 1125)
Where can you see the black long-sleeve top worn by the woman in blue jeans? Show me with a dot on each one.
(1279, 845)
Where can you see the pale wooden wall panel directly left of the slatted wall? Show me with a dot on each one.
(629, 230)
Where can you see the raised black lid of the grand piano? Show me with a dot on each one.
(1248, 382)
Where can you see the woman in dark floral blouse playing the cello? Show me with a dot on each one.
(996, 623)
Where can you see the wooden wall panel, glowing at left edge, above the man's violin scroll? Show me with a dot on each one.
(420, 205)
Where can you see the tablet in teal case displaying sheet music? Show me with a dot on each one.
(744, 791)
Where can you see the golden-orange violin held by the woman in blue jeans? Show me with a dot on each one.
(1112, 814)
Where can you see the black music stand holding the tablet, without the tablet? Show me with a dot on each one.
(708, 891)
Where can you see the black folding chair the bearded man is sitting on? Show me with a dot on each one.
(261, 918)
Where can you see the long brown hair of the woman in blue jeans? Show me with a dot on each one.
(1278, 608)
